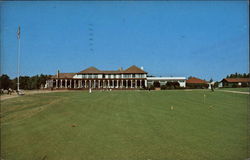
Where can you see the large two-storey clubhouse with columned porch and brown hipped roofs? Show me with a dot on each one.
(131, 78)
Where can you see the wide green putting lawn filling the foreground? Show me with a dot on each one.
(125, 125)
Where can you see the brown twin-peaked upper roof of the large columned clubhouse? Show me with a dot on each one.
(93, 70)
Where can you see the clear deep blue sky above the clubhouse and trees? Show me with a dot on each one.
(205, 39)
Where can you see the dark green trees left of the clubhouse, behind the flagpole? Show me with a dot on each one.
(26, 82)
